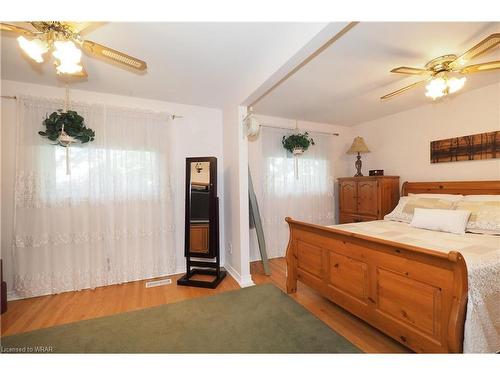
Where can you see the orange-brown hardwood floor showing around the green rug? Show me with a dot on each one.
(47, 311)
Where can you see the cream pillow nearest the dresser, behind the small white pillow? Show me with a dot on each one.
(406, 206)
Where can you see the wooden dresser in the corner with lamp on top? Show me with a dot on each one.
(367, 198)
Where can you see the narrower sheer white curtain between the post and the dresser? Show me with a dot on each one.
(306, 195)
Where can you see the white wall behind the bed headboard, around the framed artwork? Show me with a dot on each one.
(400, 143)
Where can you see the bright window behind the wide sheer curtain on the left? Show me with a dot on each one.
(98, 174)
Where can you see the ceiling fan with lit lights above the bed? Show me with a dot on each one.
(445, 74)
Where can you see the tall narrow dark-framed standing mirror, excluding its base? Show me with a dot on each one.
(201, 227)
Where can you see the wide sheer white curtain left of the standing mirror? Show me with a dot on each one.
(110, 220)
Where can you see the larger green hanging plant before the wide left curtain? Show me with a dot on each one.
(66, 128)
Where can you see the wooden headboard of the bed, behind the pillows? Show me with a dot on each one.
(453, 187)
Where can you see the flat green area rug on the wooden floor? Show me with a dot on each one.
(259, 319)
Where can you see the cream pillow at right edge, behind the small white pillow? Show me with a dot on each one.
(484, 218)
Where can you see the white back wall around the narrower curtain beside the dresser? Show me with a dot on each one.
(339, 160)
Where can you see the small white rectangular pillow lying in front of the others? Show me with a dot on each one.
(452, 221)
